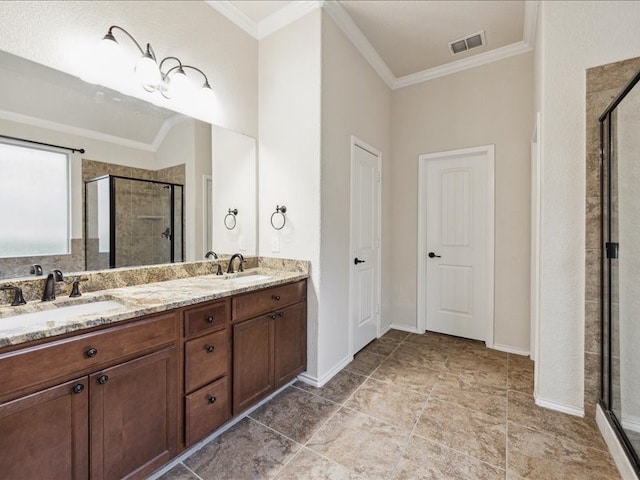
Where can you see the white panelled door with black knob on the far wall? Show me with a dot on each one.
(459, 224)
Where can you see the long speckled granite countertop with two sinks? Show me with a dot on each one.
(17, 326)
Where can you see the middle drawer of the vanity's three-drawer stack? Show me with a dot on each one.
(205, 359)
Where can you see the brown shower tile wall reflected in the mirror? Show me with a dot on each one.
(139, 230)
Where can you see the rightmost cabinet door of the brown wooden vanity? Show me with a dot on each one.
(290, 343)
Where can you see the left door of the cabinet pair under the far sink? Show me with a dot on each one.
(252, 362)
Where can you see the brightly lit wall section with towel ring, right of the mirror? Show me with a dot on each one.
(289, 153)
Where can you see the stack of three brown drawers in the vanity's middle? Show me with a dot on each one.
(207, 364)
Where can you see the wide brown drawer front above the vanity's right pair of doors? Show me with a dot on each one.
(264, 301)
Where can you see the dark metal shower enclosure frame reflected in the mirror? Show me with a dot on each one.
(112, 215)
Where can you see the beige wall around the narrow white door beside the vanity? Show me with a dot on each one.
(355, 101)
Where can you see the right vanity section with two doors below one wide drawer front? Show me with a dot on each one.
(269, 350)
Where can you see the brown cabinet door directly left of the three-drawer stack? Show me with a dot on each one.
(133, 416)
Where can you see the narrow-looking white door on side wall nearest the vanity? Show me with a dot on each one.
(364, 290)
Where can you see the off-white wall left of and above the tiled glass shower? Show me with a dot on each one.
(572, 37)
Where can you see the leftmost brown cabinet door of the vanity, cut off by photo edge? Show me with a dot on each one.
(45, 435)
